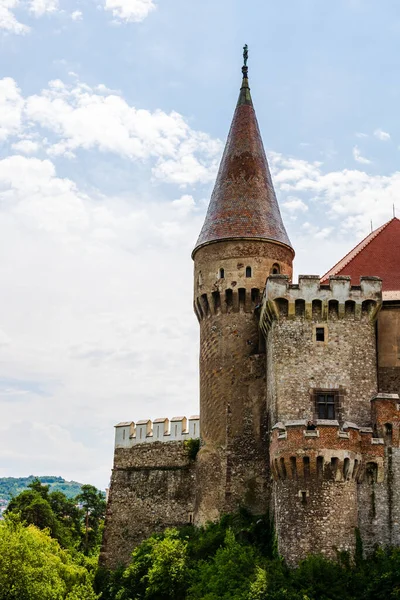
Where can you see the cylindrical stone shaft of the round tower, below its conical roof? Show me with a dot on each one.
(232, 463)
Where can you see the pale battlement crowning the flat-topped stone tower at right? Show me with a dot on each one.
(312, 300)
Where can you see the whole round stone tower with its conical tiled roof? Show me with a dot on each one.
(242, 241)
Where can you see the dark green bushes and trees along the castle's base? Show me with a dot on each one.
(236, 559)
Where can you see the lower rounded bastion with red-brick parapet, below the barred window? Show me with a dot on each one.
(317, 475)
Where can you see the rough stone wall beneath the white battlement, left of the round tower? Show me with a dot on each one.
(152, 487)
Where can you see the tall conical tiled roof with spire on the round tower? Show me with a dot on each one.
(243, 203)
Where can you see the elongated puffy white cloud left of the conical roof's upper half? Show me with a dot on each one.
(82, 117)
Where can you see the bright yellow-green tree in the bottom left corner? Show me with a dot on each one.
(34, 567)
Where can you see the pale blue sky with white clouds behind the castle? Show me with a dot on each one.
(113, 117)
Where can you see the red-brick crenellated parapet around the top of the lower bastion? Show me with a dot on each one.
(327, 452)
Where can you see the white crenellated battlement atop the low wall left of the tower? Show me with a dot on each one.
(128, 434)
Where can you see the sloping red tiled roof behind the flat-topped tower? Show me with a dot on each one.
(377, 255)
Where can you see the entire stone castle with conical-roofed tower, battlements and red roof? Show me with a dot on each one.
(273, 356)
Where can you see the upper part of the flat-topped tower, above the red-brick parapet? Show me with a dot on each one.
(298, 364)
